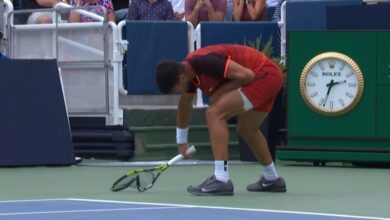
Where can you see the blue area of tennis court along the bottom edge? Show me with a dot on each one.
(72, 209)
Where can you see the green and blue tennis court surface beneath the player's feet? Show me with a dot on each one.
(336, 191)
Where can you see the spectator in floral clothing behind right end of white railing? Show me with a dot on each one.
(91, 7)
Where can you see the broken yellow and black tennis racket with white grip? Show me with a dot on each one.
(144, 179)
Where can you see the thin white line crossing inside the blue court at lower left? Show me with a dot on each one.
(84, 210)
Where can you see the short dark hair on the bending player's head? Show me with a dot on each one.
(167, 75)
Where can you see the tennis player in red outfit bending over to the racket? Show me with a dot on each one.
(239, 80)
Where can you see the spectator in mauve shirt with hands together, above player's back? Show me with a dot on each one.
(205, 10)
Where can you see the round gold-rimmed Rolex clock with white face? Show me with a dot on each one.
(331, 84)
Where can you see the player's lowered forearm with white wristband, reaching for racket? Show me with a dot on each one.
(183, 119)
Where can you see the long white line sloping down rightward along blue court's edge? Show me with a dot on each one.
(233, 208)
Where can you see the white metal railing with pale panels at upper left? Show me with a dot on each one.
(89, 56)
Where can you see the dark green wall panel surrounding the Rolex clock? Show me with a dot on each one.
(366, 127)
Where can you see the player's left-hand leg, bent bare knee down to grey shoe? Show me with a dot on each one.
(227, 106)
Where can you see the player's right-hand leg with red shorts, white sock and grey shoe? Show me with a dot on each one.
(261, 94)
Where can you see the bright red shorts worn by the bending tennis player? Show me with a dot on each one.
(263, 90)
